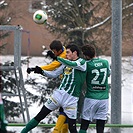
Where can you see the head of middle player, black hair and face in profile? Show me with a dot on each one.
(72, 51)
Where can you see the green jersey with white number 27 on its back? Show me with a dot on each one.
(98, 71)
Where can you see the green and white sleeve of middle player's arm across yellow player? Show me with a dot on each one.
(79, 64)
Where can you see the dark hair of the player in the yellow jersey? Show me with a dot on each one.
(56, 44)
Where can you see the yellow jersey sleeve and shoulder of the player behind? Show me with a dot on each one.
(55, 64)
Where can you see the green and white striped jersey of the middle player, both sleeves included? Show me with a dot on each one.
(74, 75)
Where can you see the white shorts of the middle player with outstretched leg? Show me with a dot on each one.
(60, 98)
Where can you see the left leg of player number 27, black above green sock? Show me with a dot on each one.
(84, 126)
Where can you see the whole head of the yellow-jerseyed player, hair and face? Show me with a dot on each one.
(57, 47)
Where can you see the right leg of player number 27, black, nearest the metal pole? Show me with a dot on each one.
(100, 126)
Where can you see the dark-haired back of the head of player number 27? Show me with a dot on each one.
(89, 50)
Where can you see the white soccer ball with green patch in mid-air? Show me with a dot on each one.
(40, 17)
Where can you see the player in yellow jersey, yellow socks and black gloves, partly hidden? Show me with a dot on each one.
(59, 50)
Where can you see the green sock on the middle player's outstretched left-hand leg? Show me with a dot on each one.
(32, 123)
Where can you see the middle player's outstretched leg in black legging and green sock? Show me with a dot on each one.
(35, 121)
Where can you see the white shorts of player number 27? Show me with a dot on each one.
(95, 109)
